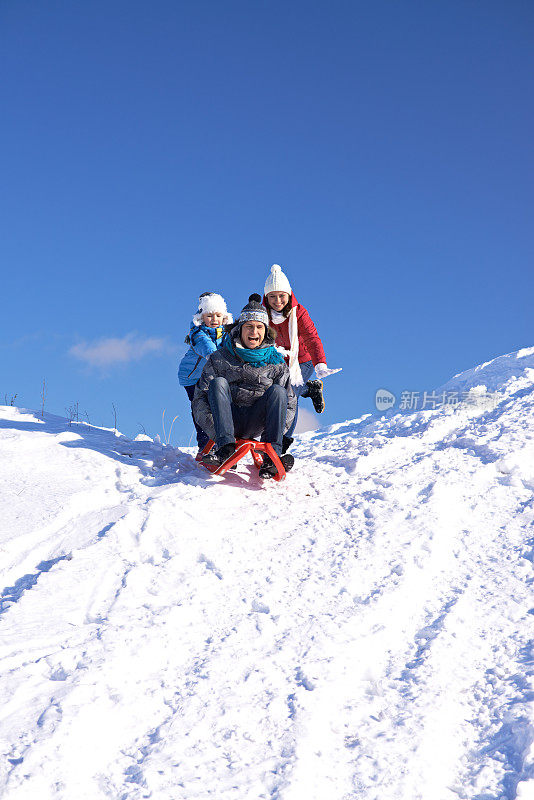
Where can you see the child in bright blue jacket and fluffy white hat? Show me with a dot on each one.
(205, 336)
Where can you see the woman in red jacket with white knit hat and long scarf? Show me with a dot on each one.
(297, 337)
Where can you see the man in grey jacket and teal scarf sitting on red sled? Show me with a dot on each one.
(245, 391)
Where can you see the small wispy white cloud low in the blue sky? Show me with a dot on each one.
(109, 352)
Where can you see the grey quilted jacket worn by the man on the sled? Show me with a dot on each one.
(247, 383)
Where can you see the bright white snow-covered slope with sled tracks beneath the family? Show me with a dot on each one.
(362, 630)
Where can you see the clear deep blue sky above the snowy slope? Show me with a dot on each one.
(381, 152)
